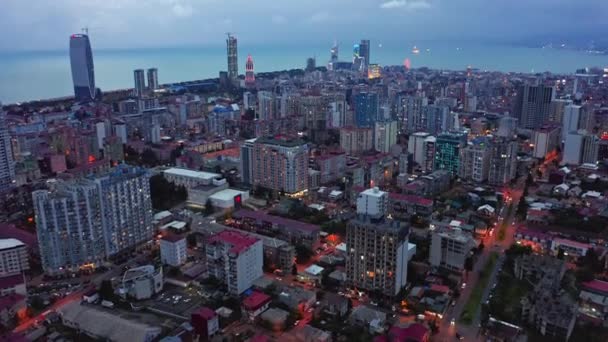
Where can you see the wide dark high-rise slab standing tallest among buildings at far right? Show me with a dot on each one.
(533, 104)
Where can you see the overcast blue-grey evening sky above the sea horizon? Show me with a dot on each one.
(46, 24)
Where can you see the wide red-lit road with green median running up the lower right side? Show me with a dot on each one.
(447, 332)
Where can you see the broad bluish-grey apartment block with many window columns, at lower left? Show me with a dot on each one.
(82, 222)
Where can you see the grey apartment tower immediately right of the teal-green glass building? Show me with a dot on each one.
(475, 163)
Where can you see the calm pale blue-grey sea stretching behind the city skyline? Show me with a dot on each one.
(35, 75)
